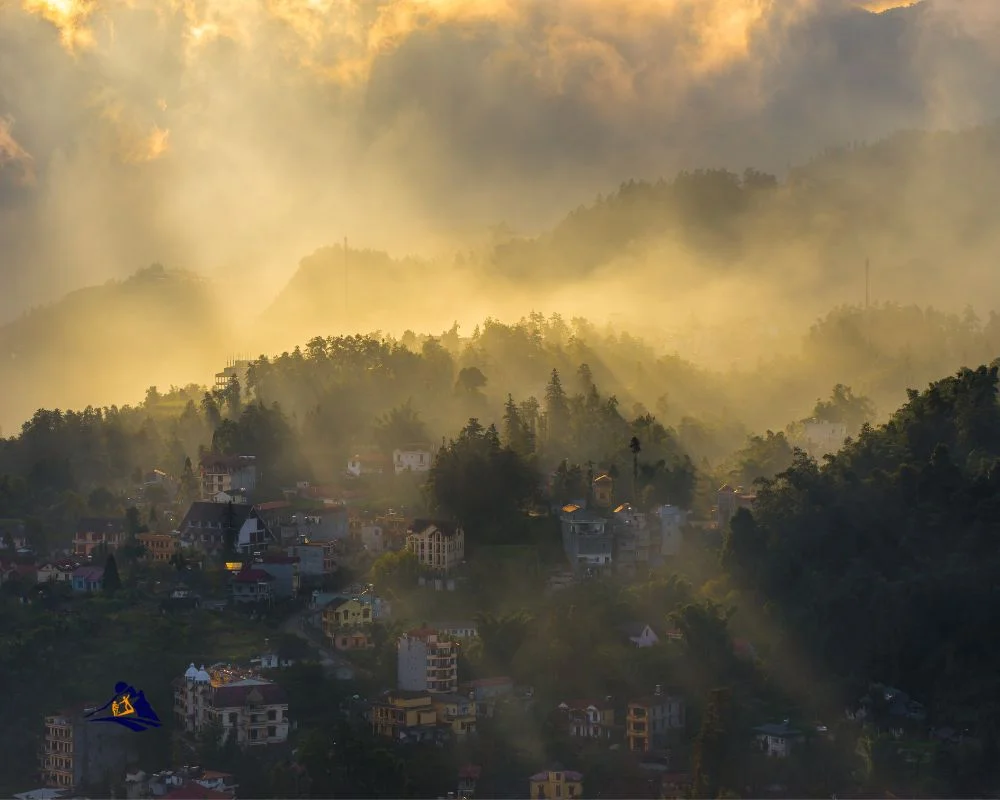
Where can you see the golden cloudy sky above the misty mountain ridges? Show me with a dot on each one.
(233, 137)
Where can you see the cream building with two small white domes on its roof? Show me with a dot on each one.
(253, 710)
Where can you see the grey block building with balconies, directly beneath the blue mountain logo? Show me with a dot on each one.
(77, 753)
